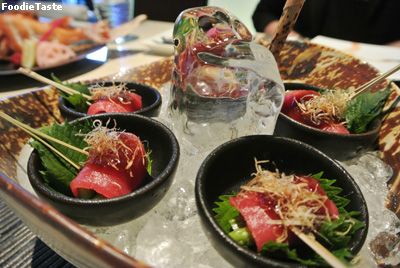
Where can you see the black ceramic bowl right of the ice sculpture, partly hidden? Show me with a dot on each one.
(338, 146)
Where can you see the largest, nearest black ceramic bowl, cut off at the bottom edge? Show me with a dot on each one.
(231, 164)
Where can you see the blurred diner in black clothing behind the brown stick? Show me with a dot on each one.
(367, 21)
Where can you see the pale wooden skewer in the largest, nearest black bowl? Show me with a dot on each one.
(318, 248)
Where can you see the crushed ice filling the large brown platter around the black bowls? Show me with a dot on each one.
(170, 234)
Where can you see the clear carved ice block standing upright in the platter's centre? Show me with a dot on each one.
(224, 85)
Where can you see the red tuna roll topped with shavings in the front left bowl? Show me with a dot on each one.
(116, 165)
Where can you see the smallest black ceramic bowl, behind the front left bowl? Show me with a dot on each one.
(151, 101)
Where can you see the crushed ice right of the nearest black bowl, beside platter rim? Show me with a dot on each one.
(372, 175)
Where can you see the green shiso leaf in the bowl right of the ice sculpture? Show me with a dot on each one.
(364, 108)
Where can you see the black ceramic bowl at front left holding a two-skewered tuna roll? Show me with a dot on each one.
(165, 155)
